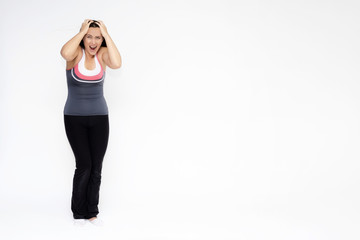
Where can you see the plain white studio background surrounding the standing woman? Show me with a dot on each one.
(228, 120)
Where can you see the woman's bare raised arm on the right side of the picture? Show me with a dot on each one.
(111, 55)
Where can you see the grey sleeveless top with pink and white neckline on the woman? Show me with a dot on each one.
(85, 90)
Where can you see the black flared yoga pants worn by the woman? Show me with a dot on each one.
(88, 138)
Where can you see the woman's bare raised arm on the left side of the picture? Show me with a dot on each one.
(71, 49)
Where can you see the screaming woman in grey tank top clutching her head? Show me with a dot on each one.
(87, 55)
